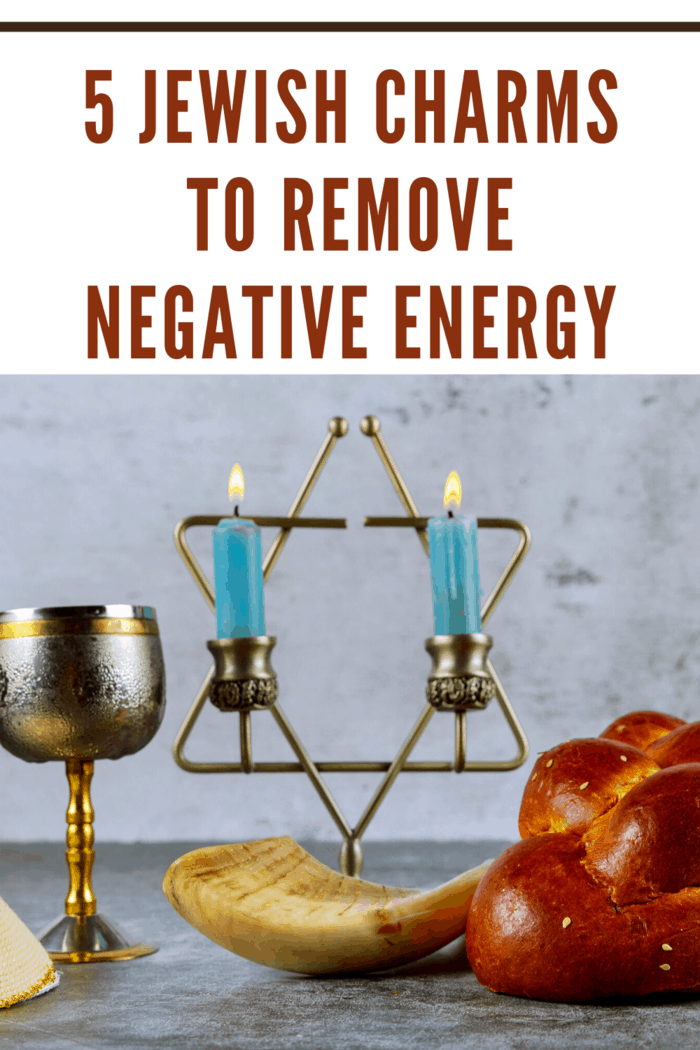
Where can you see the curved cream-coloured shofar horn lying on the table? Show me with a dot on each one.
(273, 904)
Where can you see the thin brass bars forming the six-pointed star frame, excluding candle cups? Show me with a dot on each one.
(351, 853)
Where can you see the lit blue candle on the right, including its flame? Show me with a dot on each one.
(455, 572)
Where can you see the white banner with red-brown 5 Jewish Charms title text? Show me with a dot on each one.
(350, 203)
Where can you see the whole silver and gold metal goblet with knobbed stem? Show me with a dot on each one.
(79, 684)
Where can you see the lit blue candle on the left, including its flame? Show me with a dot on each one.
(239, 574)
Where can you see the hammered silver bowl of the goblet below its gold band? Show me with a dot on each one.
(83, 697)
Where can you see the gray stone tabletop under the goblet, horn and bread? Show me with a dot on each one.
(195, 995)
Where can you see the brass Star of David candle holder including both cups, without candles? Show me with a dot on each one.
(243, 681)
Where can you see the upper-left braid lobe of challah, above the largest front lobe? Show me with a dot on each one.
(578, 782)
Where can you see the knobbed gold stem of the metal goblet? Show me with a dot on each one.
(80, 837)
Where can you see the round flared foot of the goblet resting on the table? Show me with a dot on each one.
(90, 939)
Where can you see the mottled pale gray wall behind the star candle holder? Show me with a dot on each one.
(603, 619)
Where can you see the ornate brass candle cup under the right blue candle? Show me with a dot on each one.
(460, 680)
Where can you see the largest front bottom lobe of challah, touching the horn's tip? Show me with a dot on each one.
(519, 940)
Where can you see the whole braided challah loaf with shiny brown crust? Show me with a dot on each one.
(602, 898)
